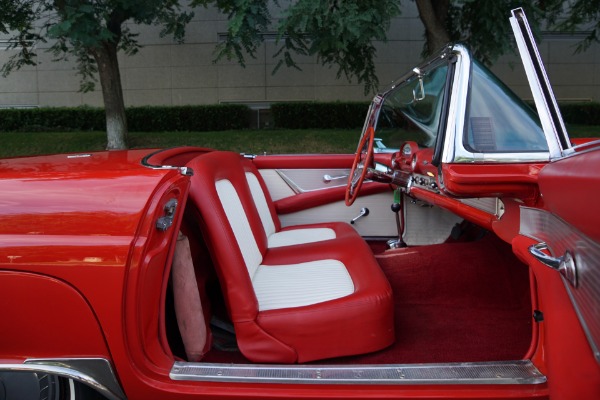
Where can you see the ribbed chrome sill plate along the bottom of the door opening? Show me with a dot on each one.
(521, 372)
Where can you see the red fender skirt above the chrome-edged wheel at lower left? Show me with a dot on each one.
(43, 317)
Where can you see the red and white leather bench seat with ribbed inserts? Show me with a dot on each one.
(294, 295)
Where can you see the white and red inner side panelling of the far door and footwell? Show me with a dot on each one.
(310, 189)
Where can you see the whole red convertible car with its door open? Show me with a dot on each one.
(463, 266)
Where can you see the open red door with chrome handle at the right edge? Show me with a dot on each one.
(567, 270)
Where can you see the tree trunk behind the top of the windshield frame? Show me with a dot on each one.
(433, 14)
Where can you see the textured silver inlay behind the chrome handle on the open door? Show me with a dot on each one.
(560, 238)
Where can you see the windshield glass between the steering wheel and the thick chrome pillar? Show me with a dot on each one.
(411, 110)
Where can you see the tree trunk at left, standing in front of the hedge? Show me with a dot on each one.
(112, 91)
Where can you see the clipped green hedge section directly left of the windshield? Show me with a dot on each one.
(319, 115)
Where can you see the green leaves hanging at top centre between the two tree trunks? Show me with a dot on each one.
(336, 32)
